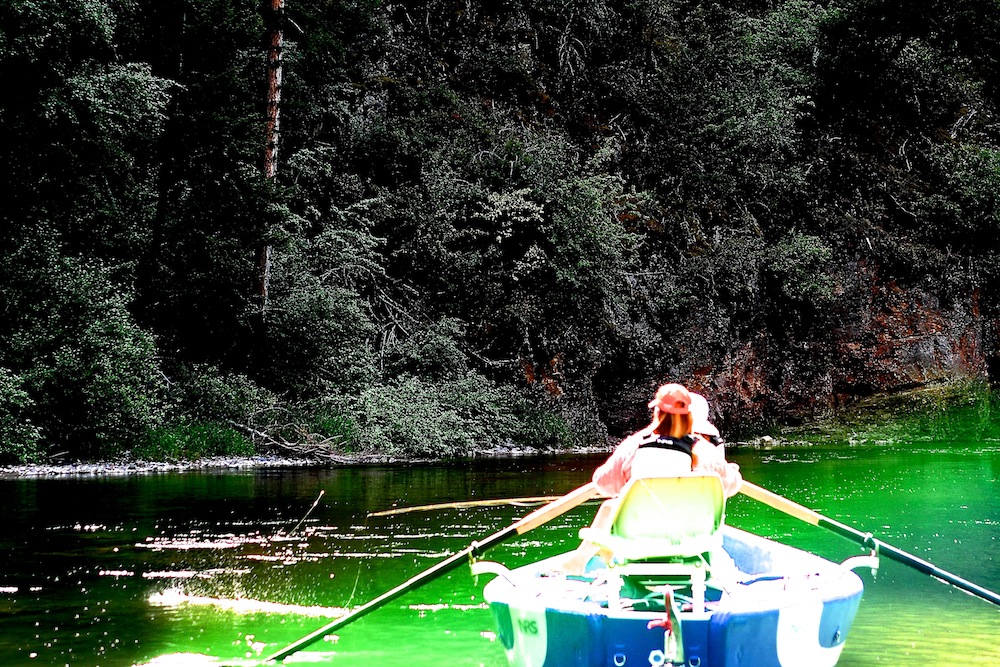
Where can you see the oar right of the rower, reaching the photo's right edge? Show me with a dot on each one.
(865, 539)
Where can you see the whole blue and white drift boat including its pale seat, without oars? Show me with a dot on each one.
(680, 588)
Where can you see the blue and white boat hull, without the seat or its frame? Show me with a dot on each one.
(781, 607)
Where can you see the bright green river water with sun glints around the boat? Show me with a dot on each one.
(199, 568)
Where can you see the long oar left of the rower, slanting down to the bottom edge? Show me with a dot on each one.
(540, 516)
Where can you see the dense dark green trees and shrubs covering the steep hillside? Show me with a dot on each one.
(493, 223)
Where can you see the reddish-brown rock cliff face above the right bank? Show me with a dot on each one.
(883, 337)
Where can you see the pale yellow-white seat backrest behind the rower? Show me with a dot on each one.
(674, 509)
